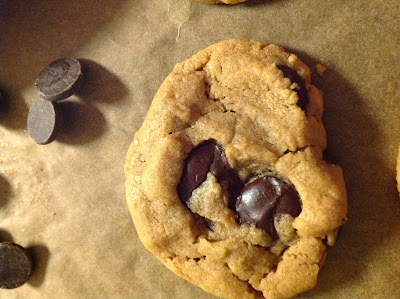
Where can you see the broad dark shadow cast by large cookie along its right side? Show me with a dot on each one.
(353, 136)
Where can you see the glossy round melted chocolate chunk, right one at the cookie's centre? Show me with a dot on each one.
(265, 197)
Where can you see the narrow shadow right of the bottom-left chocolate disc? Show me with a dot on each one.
(40, 255)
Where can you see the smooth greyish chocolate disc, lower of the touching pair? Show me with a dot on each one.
(44, 121)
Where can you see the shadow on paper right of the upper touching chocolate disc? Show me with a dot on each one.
(100, 85)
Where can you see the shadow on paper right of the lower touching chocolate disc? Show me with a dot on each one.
(83, 122)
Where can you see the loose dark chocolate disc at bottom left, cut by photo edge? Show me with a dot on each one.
(15, 265)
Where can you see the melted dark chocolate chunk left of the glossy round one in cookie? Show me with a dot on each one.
(208, 156)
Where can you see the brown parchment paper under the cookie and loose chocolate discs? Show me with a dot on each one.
(65, 201)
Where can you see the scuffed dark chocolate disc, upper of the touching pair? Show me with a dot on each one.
(60, 79)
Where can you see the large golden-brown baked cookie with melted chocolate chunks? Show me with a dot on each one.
(225, 180)
